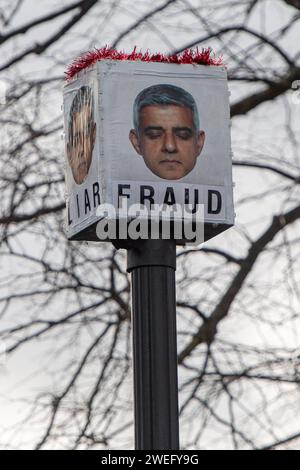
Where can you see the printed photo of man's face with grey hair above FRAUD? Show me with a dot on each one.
(166, 132)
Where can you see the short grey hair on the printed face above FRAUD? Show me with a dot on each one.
(164, 94)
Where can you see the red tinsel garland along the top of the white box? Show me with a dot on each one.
(189, 56)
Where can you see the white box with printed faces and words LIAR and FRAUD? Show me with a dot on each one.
(147, 134)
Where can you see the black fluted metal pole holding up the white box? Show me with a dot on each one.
(152, 264)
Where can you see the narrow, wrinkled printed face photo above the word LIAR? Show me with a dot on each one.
(81, 134)
